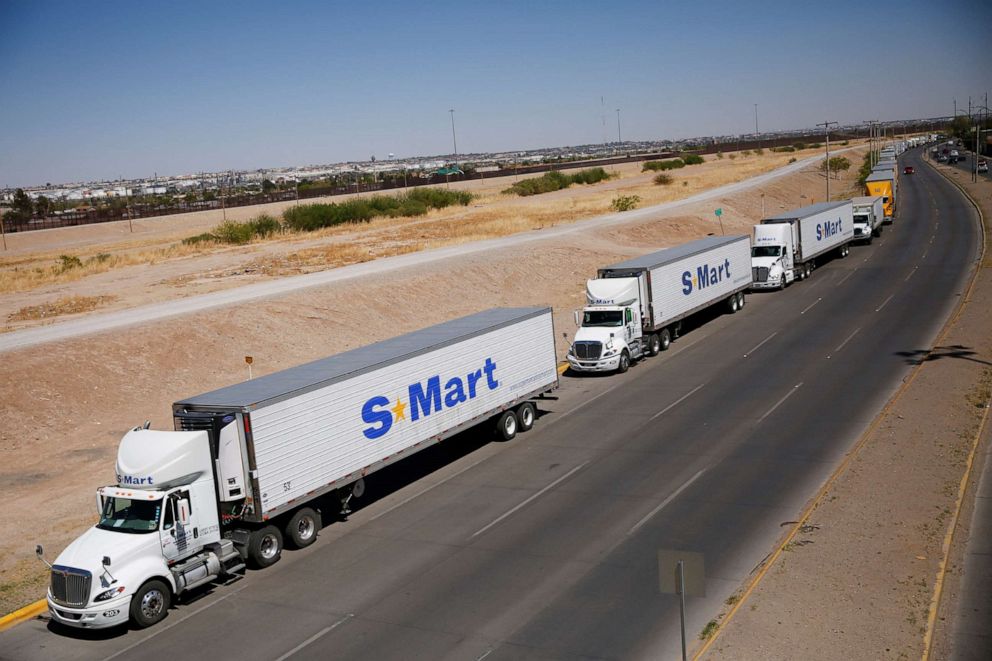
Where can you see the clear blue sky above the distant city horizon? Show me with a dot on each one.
(107, 89)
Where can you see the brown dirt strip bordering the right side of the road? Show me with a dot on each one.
(857, 580)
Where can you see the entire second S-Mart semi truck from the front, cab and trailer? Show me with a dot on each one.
(635, 308)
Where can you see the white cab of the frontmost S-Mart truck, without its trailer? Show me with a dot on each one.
(158, 535)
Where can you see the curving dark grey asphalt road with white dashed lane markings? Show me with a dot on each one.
(547, 547)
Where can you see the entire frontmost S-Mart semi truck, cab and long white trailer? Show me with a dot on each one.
(248, 465)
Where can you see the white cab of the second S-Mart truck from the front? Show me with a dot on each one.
(609, 330)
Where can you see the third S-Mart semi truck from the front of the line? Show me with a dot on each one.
(786, 246)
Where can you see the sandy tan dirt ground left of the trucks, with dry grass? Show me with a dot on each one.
(67, 404)
